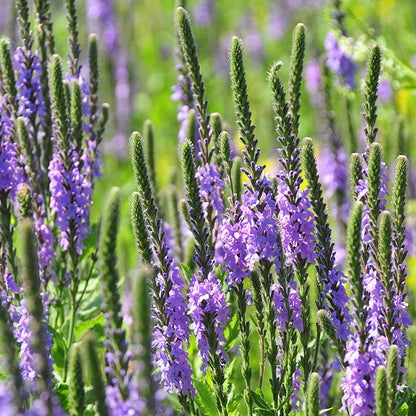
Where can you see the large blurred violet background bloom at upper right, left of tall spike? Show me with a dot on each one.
(339, 62)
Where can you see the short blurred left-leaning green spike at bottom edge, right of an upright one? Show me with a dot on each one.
(93, 366)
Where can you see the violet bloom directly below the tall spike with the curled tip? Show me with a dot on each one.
(297, 227)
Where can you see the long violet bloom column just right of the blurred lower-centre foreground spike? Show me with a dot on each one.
(169, 340)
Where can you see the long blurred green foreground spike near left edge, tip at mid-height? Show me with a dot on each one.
(31, 279)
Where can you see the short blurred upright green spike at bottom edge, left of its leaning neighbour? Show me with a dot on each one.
(76, 382)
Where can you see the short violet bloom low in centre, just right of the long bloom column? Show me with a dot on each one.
(207, 303)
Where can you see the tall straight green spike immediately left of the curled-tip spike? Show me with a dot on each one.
(243, 112)
